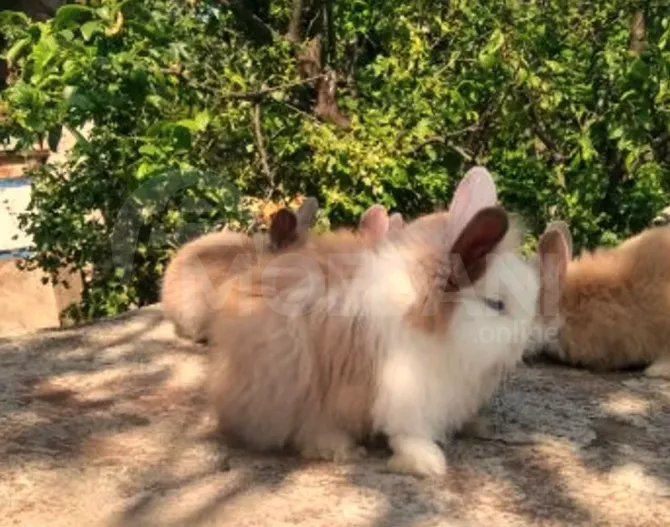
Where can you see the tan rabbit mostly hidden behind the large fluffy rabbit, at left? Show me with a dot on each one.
(202, 264)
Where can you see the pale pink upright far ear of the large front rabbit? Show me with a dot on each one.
(475, 192)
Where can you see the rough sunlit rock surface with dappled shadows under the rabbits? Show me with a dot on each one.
(103, 425)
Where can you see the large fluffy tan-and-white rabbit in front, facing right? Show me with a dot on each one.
(321, 346)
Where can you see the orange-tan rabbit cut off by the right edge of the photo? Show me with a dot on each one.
(608, 309)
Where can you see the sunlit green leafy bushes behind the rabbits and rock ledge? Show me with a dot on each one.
(547, 95)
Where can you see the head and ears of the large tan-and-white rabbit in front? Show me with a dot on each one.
(471, 284)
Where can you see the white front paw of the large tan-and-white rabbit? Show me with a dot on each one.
(417, 456)
